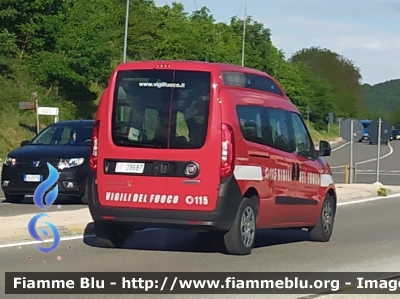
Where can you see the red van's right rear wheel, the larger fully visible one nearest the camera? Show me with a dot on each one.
(233, 239)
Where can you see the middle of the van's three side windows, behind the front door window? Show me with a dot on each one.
(279, 126)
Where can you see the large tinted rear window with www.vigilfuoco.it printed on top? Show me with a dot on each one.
(161, 109)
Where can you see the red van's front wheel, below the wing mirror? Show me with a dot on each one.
(320, 232)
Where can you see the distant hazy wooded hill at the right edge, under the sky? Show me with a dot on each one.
(383, 100)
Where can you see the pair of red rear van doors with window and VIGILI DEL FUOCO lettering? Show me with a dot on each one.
(163, 149)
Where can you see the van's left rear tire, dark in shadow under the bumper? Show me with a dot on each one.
(109, 235)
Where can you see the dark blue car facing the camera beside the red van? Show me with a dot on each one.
(65, 145)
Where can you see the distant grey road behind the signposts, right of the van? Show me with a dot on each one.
(365, 158)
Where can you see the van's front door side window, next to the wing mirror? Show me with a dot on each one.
(302, 140)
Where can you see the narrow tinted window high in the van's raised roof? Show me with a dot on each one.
(251, 81)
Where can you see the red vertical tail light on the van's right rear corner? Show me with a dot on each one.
(228, 152)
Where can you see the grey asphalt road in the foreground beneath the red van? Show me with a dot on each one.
(365, 238)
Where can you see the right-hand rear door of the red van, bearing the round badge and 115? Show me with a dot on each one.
(195, 142)
